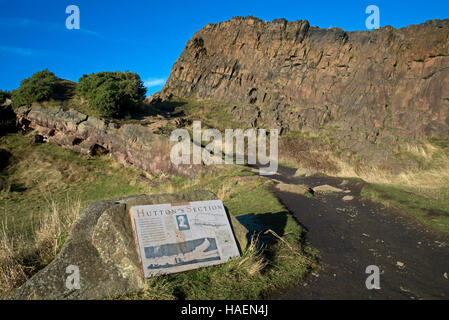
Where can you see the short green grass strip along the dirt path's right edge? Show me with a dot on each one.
(431, 208)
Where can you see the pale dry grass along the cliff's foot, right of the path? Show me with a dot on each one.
(307, 151)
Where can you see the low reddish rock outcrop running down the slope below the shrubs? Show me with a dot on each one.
(130, 144)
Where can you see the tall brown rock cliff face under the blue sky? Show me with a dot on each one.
(371, 86)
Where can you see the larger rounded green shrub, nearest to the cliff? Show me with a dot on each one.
(111, 94)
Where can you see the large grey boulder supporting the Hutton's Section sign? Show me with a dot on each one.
(102, 246)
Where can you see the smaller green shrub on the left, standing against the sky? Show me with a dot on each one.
(40, 87)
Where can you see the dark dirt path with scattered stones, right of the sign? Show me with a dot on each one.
(352, 235)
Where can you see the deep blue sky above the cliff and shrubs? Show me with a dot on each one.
(148, 36)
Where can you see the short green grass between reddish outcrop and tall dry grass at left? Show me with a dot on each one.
(39, 174)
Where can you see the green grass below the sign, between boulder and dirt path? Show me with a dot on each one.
(252, 276)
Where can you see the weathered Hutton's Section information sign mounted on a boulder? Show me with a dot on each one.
(179, 237)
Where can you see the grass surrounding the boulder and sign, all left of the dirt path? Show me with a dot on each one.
(46, 175)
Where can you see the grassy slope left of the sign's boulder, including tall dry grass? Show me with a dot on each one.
(47, 186)
